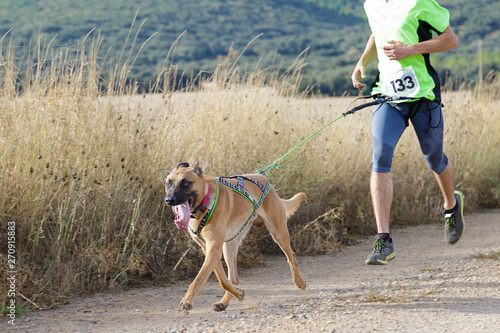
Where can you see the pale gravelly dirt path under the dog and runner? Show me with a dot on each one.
(429, 287)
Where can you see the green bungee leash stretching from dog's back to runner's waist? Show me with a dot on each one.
(378, 99)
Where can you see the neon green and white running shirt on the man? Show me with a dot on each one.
(409, 22)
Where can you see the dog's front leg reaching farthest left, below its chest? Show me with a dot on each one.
(213, 253)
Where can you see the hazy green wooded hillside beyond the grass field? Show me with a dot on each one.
(333, 31)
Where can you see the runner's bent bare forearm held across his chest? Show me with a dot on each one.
(396, 50)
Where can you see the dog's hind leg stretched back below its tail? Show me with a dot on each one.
(277, 226)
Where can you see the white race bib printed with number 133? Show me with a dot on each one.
(402, 83)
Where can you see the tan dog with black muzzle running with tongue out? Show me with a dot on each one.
(218, 213)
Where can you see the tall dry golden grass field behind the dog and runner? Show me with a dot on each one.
(83, 158)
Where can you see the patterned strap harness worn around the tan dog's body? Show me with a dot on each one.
(238, 187)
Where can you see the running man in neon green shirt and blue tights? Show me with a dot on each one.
(402, 39)
